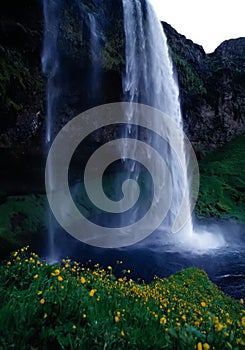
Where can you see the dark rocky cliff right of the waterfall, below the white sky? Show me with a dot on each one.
(212, 89)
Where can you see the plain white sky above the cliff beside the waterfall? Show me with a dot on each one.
(206, 22)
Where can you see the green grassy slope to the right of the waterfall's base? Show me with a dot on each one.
(222, 182)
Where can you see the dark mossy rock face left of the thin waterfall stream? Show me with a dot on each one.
(21, 81)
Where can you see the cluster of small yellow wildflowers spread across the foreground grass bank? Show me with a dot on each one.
(172, 305)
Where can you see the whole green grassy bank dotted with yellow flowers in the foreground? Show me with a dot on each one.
(69, 306)
